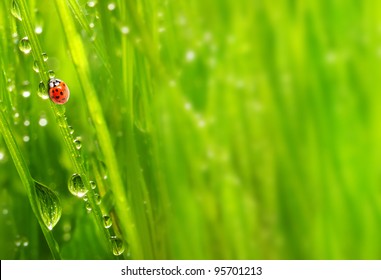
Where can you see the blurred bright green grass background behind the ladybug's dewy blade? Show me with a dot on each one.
(240, 129)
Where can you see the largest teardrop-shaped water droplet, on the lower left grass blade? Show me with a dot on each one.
(49, 205)
